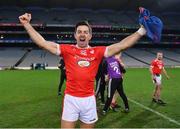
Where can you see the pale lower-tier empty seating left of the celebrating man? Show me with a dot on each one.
(9, 57)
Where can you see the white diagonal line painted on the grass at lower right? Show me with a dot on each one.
(156, 112)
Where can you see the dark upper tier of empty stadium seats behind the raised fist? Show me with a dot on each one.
(60, 15)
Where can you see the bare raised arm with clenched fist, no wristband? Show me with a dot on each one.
(35, 36)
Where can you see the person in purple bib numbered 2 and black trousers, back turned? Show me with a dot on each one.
(115, 68)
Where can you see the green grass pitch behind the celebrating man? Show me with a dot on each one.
(28, 99)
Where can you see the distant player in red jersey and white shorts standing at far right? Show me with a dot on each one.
(156, 68)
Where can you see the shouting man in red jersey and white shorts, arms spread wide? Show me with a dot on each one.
(81, 62)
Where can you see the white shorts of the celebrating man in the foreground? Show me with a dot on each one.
(82, 108)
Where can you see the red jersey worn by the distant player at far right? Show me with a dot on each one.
(157, 66)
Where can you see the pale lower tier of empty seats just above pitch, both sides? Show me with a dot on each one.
(41, 56)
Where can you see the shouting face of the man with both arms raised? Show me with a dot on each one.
(82, 36)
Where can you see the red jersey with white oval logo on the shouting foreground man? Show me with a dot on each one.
(81, 68)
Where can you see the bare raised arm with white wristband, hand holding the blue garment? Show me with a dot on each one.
(125, 43)
